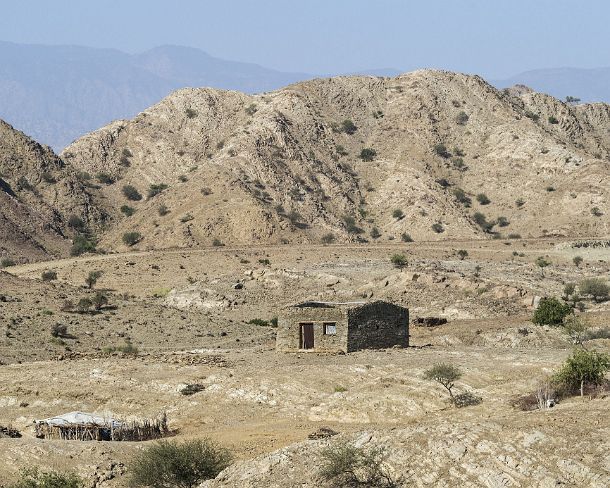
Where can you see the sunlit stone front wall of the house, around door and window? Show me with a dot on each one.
(288, 333)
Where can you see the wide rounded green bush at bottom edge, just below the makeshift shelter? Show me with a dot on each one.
(171, 465)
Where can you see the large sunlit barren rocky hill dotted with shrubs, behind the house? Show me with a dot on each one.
(282, 166)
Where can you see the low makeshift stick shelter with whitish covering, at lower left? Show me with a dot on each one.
(89, 427)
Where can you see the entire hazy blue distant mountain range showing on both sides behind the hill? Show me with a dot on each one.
(58, 93)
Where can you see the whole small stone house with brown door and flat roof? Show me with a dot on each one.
(342, 327)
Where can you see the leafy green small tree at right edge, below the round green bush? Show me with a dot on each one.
(583, 368)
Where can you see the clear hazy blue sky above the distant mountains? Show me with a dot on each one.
(494, 38)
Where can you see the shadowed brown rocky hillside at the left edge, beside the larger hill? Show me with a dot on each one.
(38, 193)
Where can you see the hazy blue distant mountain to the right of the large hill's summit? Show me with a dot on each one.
(589, 85)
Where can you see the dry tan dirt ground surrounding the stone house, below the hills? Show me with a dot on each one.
(182, 311)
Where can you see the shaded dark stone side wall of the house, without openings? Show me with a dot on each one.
(377, 325)
